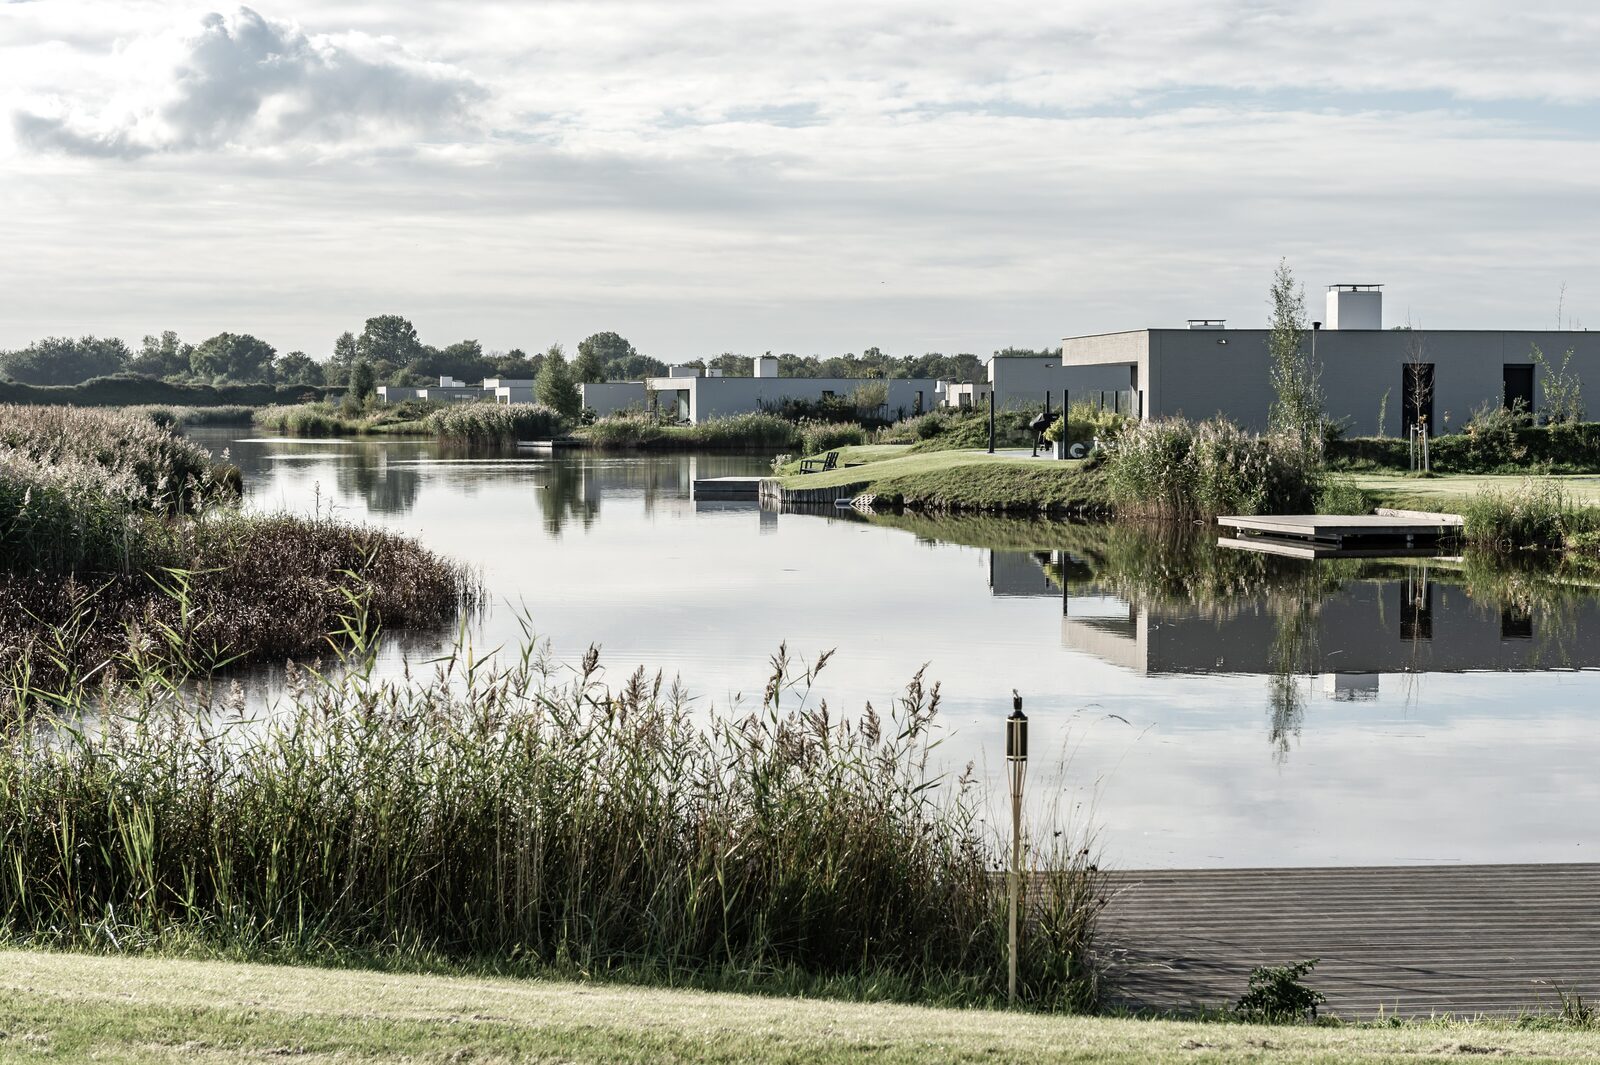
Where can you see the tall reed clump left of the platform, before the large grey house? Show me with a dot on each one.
(1185, 471)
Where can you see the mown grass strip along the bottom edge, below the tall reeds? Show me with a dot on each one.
(81, 1008)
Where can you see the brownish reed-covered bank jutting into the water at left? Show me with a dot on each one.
(119, 543)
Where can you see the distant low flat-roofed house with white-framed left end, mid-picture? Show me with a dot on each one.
(694, 397)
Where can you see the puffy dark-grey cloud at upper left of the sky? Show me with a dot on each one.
(252, 82)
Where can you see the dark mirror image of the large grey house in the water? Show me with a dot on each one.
(1367, 628)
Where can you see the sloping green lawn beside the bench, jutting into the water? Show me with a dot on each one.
(962, 481)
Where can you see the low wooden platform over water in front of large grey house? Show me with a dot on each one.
(1342, 535)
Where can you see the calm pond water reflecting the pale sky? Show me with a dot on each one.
(1210, 711)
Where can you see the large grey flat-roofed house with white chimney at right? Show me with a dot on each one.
(1441, 375)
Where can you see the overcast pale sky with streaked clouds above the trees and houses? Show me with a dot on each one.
(706, 177)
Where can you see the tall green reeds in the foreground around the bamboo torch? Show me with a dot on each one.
(521, 818)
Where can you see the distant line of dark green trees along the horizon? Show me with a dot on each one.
(388, 351)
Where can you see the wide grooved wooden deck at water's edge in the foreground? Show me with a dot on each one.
(1410, 941)
